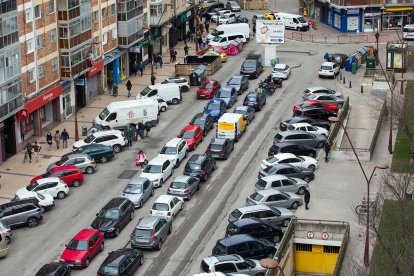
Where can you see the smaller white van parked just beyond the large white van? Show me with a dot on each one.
(170, 92)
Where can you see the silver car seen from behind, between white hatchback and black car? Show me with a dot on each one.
(184, 186)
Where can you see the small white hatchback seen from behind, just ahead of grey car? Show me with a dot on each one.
(167, 206)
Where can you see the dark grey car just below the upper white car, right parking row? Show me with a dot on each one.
(300, 137)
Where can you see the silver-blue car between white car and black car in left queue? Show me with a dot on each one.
(138, 190)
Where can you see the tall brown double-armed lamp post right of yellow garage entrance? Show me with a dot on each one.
(381, 166)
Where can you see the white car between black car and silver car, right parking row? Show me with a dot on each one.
(289, 158)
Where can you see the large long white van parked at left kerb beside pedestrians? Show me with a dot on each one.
(117, 115)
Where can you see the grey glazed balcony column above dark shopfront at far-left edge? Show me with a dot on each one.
(11, 98)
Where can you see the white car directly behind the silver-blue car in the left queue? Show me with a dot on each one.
(158, 170)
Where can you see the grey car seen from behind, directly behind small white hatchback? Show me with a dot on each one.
(151, 232)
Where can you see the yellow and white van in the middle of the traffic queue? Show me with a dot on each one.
(230, 126)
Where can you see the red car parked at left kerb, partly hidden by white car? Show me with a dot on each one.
(70, 174)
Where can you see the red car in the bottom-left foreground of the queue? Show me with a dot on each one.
(83, 247)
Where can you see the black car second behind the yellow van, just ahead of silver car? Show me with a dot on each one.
(200, 165)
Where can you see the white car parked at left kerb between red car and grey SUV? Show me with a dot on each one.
(53, 186)
